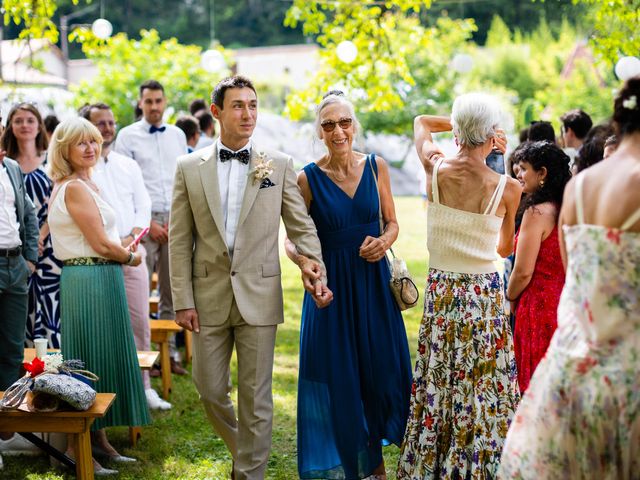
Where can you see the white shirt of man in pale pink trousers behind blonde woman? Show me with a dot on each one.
(120, 182)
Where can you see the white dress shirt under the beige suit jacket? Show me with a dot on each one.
(232, 180)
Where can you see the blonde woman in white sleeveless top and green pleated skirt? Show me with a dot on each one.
(96, 326)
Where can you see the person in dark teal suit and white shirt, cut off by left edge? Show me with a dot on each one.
(18, 256)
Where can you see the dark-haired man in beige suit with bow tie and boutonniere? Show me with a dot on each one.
(225, 269)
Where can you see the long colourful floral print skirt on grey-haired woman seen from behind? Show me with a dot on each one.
(465, 388)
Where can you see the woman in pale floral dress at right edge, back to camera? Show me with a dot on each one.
(580, 416)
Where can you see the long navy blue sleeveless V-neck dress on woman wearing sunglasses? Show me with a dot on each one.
(355, 370)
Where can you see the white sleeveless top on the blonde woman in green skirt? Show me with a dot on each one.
(66, 237)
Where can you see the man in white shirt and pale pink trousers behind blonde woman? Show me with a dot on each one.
(120, 182)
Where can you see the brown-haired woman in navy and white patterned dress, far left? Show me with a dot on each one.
(25, 141)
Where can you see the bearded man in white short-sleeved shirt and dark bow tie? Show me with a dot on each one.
(155, 146)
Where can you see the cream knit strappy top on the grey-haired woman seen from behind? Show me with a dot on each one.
(461, 241)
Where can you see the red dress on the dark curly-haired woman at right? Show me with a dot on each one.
(536, 314)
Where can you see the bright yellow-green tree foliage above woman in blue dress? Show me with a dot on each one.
(393, 47)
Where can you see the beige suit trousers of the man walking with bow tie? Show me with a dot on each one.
(248, 437)
